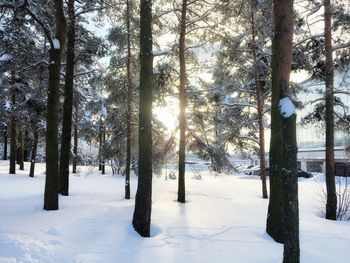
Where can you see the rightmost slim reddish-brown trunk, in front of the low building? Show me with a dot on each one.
(331, 205)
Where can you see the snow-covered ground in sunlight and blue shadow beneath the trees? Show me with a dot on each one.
(223, 221)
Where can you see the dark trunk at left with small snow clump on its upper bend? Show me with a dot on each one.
(57, 47)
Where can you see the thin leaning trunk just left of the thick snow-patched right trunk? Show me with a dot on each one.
(260, 108)
